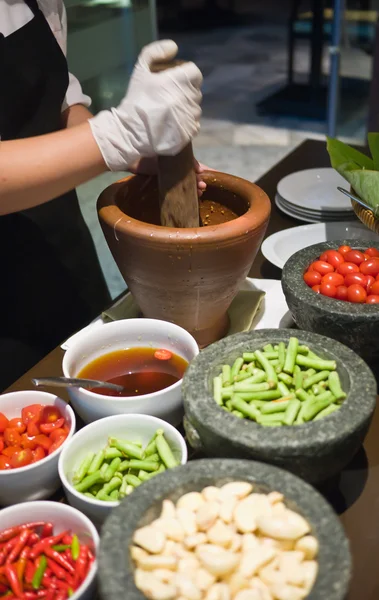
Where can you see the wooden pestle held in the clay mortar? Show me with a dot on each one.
(178, 199)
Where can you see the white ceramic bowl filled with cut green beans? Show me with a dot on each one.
(106, 460)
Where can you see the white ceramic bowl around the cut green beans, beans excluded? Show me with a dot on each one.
(94, 437)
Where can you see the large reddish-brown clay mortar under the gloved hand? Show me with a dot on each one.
(187, 276)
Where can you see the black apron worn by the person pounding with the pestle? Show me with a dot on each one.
(50, 280)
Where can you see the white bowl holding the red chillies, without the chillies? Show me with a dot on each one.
(63, 517)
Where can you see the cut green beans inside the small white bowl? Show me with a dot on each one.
(116, 470)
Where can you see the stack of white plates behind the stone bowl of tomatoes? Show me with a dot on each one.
(312, 196)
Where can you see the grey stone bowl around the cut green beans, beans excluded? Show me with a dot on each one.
(314, 451)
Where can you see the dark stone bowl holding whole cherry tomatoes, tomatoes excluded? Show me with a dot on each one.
(356, 325)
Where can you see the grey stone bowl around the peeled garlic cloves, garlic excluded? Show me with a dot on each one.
(116, 570)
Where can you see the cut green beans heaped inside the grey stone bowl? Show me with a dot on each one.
(280, 385)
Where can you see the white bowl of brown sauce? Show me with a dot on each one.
(148, 357)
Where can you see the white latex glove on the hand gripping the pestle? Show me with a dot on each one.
(159, 115)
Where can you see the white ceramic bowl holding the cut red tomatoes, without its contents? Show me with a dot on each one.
(41, 479)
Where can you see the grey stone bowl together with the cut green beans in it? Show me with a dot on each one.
(292, 398)
